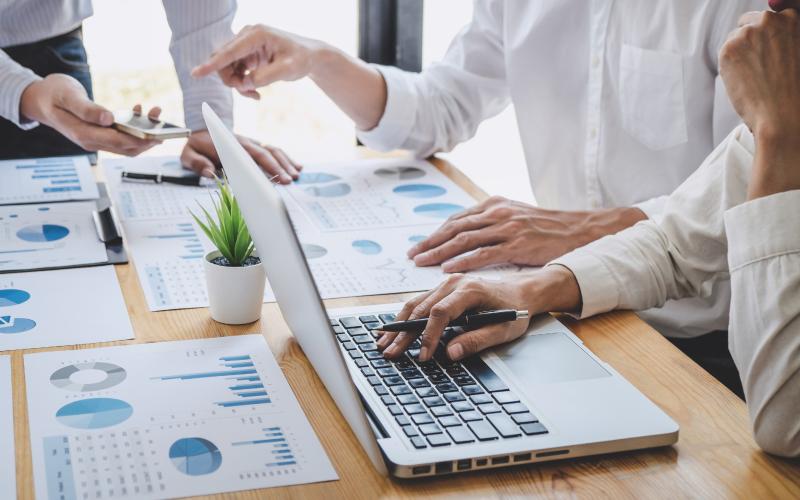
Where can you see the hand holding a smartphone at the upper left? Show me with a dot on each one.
(59, 101)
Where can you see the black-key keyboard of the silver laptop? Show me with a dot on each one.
(438, 402)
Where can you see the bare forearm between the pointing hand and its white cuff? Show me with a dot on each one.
(357, 88)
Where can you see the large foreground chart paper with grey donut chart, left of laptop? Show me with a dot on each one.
(166, 420)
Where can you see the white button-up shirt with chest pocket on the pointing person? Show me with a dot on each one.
(617, 102)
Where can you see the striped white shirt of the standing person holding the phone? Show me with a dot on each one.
(198, 28)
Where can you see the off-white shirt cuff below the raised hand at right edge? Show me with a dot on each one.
(763, 228)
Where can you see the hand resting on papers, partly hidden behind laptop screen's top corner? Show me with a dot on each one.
(200, 155)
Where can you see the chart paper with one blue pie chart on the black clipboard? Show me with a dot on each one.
(48, 236)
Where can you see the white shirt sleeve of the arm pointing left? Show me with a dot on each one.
(441, 107)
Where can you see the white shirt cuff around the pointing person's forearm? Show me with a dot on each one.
(395, 125)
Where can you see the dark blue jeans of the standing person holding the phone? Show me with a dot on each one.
(60, 54)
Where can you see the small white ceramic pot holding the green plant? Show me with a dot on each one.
(235, 294)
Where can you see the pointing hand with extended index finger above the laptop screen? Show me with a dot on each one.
(260, 55)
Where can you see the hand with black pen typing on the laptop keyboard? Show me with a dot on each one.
(553, 288)
